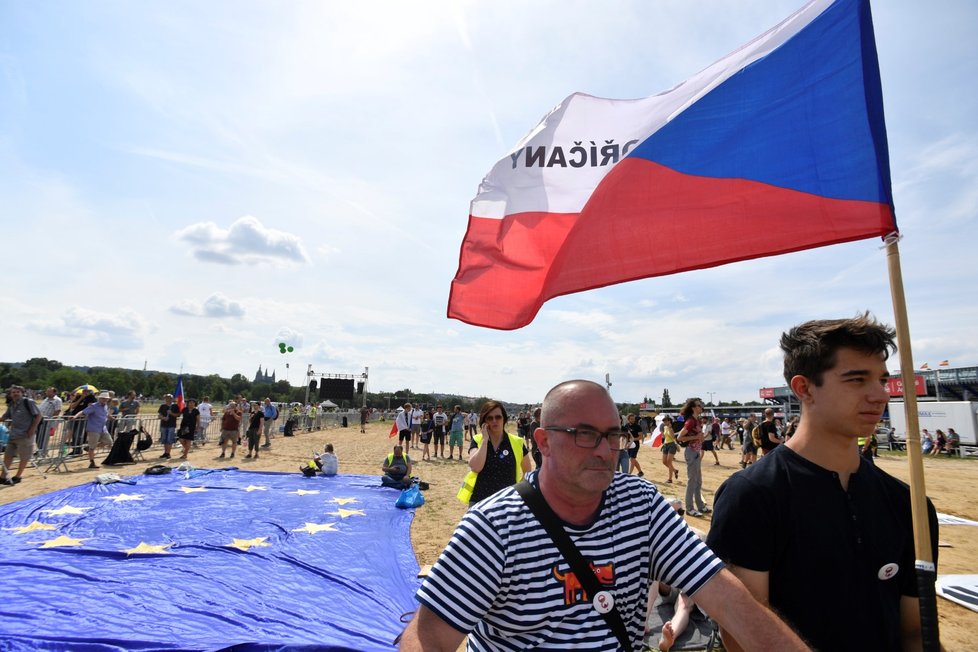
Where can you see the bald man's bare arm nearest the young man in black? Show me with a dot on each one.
(753, 626)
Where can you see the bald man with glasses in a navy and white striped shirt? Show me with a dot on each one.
(504, 583)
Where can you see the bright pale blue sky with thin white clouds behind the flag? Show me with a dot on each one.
(187, 184)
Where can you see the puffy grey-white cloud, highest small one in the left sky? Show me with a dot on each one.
(247, 240)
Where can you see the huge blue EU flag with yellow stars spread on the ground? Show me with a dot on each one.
(207, 560)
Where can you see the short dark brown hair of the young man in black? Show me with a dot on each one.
(810, 348)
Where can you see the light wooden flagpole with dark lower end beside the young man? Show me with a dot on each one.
(925, 567)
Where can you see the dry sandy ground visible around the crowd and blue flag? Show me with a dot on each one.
(950, 484)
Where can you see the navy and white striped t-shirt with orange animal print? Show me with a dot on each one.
(502, 580)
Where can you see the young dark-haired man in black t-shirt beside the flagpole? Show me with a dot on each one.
(813, 529)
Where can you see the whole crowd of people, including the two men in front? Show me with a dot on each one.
(572, 466)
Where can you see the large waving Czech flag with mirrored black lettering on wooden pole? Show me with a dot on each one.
(778, 147)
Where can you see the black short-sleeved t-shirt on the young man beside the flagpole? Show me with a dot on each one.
(838, 559)
